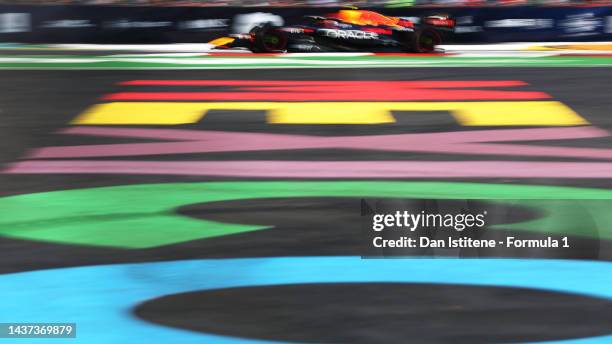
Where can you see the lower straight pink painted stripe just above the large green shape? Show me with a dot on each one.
(323, 169)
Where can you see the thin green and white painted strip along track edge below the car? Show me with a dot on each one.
(314, 61)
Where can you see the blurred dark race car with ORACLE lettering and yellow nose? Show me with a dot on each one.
(346, 30)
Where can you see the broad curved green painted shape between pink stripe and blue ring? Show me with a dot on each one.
(142, 216)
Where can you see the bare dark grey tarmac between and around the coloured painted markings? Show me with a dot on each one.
(35, 105)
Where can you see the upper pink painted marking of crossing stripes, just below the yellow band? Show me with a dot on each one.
(465, 142)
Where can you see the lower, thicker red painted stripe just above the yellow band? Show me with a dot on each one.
(321, 95)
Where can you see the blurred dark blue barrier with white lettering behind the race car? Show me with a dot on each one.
(87, 24)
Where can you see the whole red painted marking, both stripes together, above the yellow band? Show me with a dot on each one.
(280, 90)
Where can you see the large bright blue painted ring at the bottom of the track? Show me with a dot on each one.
(100, 298)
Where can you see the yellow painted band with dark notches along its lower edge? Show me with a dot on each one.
(517, 113)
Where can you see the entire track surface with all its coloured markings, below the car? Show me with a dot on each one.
(267, 201)
